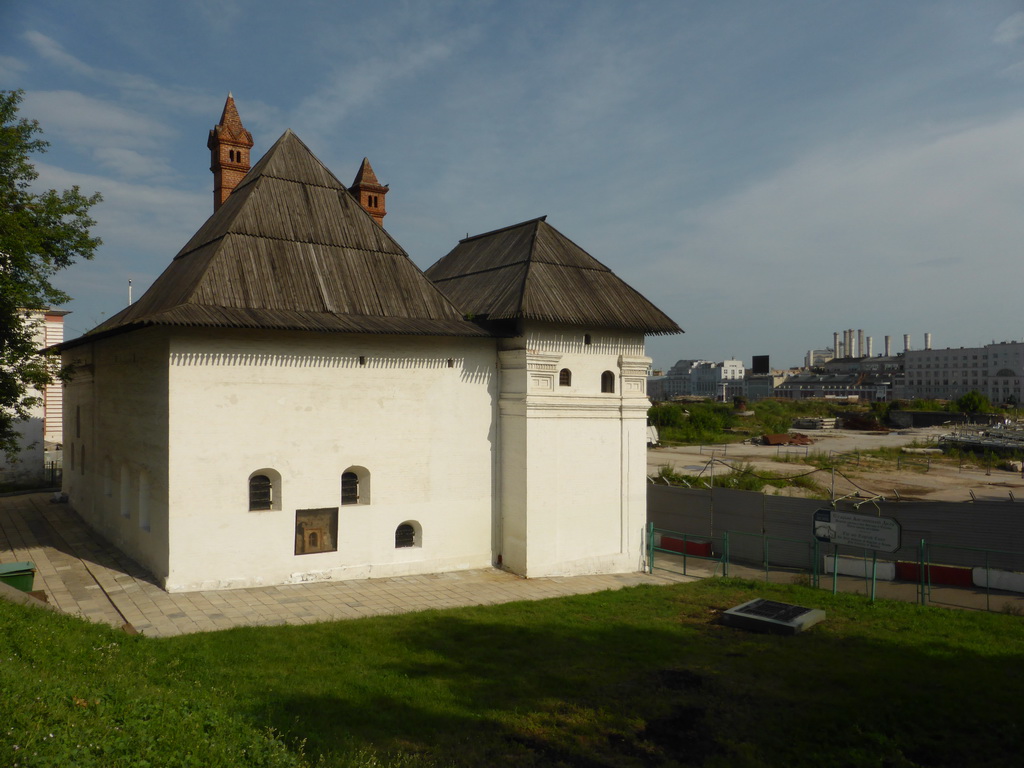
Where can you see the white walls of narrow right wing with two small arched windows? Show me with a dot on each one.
(573, 472)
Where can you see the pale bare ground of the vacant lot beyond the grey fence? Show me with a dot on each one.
(945, 481)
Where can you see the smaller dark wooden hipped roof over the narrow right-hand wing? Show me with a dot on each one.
(533, 272)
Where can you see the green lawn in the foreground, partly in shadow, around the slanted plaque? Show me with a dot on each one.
(642, 677)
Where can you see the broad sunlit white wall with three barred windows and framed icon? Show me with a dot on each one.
(307, 407)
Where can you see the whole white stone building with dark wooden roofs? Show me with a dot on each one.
(294, 401)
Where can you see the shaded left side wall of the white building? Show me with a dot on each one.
(115, 450)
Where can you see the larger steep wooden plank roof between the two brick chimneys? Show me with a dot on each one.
(291, 249)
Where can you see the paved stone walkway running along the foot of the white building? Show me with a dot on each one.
(86, 576)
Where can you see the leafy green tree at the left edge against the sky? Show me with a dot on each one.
(41, 233)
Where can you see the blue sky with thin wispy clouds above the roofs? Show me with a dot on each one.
(765, 173)
